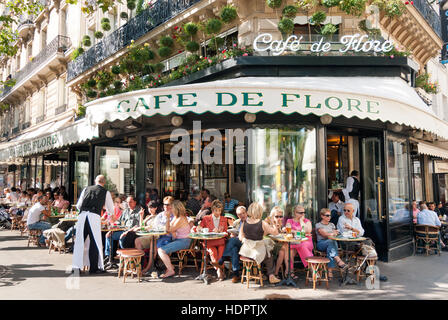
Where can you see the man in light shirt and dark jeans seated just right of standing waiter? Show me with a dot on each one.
(130, 218)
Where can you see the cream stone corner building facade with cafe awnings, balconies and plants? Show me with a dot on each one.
(310, 111)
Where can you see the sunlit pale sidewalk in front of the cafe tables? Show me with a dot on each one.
(32, 273)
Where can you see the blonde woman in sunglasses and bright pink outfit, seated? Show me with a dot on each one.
(305, 248)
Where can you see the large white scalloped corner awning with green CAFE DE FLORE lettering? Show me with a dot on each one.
(387, 99)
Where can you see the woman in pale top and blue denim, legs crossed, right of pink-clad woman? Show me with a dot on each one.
(325, 229)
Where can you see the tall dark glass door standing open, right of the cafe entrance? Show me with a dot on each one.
(373, 214)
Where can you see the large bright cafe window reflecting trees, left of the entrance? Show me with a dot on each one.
(284, 168)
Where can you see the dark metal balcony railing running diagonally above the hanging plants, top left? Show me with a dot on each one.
(150, 18)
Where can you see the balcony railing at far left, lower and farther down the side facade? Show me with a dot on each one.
(58, 44)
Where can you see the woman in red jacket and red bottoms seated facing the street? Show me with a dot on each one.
(215, 222)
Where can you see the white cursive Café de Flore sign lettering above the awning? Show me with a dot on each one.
(356, 43)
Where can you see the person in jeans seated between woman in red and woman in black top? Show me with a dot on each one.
(233, 245)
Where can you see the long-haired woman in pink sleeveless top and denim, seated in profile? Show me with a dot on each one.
(179, 229)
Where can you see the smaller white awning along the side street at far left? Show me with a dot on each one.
(53, 135)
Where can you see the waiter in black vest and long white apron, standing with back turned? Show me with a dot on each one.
(88, 248)
